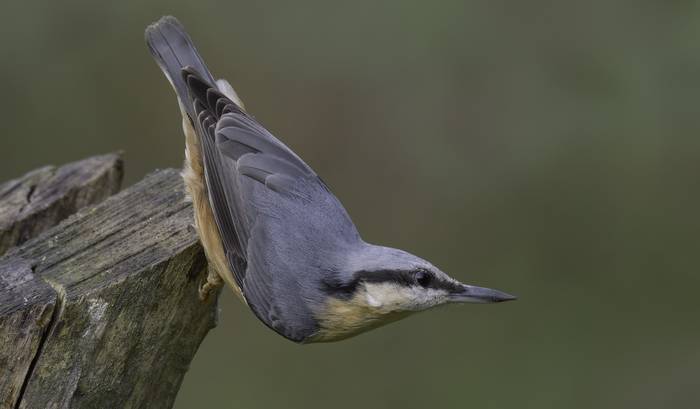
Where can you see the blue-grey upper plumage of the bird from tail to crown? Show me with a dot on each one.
(288, 241)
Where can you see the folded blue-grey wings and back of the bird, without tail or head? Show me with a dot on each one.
(256, 184)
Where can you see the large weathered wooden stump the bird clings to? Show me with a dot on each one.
(102, 311)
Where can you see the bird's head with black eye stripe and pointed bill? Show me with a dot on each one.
(383, 285)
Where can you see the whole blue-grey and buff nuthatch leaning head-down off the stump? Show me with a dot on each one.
(272, 229)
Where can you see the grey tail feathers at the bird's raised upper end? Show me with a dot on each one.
(173, 50)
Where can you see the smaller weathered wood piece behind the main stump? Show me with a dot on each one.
(42, 198)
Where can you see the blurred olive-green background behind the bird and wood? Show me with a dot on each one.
(549, 149)
